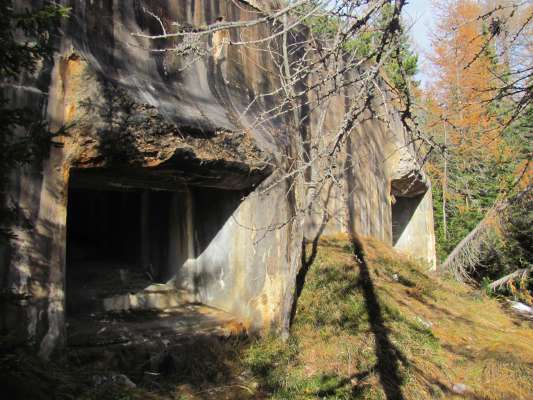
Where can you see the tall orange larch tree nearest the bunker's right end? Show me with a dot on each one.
(463, 117)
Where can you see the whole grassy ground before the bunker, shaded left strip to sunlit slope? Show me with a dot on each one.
(423, 335)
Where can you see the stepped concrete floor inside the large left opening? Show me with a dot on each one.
(112, 304)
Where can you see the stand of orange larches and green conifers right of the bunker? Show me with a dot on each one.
(479, 108)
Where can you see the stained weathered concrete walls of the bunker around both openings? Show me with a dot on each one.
(142, 121)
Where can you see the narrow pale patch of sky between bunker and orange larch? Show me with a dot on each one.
(419, 14)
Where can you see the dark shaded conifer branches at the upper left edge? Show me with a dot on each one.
(26, 39)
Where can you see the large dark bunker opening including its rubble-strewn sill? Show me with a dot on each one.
(129, 232)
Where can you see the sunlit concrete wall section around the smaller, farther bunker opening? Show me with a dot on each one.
(376, 165)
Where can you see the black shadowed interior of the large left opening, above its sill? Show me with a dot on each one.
(122, 241)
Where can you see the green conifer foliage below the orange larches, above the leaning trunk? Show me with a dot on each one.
(475, 183)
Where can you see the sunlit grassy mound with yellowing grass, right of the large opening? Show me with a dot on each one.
(432, 334)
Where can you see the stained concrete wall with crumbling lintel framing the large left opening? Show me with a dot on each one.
(137, 121)
